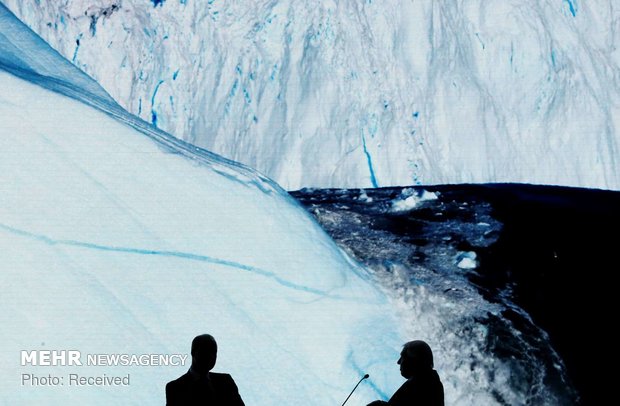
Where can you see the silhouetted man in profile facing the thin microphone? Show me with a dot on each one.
(423, 386)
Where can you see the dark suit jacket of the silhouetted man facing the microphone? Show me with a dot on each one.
(424, 390)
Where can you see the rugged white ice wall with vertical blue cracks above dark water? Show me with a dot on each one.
(363, 93)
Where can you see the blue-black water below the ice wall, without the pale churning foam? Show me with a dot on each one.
(546, 255)
